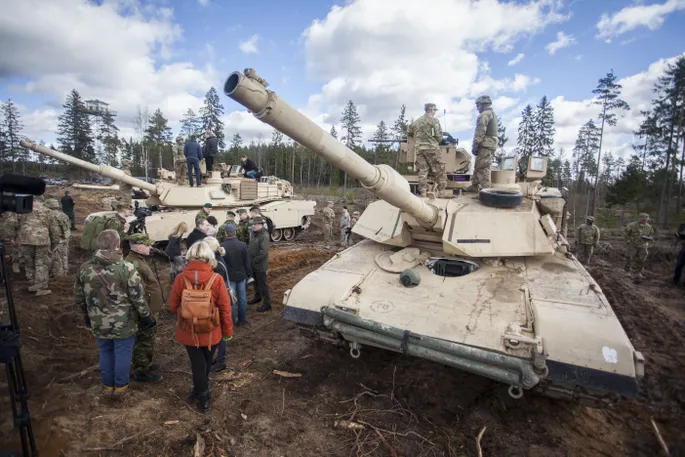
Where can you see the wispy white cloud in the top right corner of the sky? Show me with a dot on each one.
(635, 16)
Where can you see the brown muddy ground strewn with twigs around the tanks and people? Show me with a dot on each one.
(407, 407)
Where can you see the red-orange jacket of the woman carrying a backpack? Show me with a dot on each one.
(221, 299)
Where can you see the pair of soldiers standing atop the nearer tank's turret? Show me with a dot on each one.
(427, 134)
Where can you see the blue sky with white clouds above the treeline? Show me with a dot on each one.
(317, 55)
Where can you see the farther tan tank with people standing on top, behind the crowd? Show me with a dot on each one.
(172, 204)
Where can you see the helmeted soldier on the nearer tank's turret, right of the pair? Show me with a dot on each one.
(485, 141)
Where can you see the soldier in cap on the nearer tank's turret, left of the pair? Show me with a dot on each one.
(428, 134)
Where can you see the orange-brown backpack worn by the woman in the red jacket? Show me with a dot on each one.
(199, 313)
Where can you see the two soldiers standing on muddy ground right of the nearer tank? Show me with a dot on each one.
(638, 235)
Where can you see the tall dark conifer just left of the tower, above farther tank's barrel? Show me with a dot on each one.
(74, 130)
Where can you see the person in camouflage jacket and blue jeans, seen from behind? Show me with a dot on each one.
(109, 292)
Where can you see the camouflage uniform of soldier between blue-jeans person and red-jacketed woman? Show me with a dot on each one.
(145, 340)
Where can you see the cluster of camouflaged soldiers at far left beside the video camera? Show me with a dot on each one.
(40, 241)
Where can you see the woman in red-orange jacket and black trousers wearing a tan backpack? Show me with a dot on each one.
(202, 319)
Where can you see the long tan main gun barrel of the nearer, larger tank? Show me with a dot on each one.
(250, 91)
